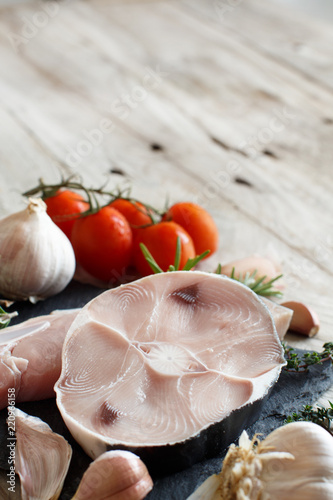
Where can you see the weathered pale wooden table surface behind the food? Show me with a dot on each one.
(228, 104)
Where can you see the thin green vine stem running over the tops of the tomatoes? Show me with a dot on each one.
(96, 197)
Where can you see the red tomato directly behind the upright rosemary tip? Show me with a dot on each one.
(161, 241)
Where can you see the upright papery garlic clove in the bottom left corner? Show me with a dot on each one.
(42, 458)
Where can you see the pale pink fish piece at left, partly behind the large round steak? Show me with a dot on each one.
(30, 356)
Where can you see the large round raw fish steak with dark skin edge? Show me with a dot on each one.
(159, 361)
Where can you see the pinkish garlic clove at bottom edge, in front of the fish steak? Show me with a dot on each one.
(115, 474)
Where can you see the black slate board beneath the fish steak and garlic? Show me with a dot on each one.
(290, 393)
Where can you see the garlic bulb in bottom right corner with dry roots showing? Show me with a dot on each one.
(295, 462)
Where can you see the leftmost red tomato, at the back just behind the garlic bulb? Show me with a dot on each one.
(62, 208)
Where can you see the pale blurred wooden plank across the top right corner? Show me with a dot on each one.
(287, 35)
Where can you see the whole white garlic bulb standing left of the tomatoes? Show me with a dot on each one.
(36, 258)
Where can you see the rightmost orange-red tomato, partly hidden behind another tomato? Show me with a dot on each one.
(198, 223)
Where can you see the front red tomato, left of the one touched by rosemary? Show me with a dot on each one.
(102, 243)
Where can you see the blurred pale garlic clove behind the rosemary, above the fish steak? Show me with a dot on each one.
(263, 266)
